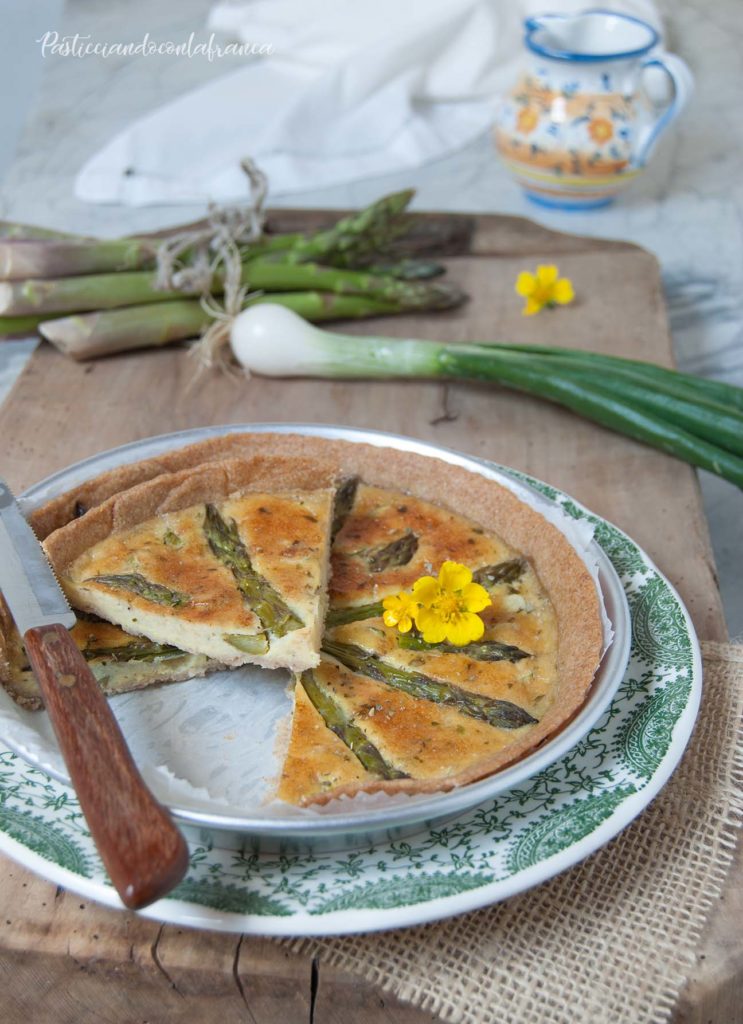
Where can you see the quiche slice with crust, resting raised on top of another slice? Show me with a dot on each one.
(228, 562)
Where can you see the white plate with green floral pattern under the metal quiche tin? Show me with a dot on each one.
(520, 838)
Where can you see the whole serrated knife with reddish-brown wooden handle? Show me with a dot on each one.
(144, 852)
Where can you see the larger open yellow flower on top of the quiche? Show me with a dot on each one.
(448, 607)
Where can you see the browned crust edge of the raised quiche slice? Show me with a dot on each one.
(213, 482)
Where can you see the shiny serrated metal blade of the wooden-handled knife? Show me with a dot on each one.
(27, 580)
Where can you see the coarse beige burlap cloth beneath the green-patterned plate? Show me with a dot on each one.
(611, 941)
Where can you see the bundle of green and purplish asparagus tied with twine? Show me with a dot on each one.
(369, 265)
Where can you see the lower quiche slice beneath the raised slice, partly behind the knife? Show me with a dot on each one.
(119, 661)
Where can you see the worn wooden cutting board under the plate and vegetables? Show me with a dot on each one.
(64, 961)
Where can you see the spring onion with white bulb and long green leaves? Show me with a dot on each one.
(273, 342)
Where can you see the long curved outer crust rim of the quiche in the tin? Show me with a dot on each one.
(564, 576)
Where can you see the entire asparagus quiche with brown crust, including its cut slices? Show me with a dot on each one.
(287, 561)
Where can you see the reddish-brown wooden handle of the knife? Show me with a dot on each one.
(143, 850)
